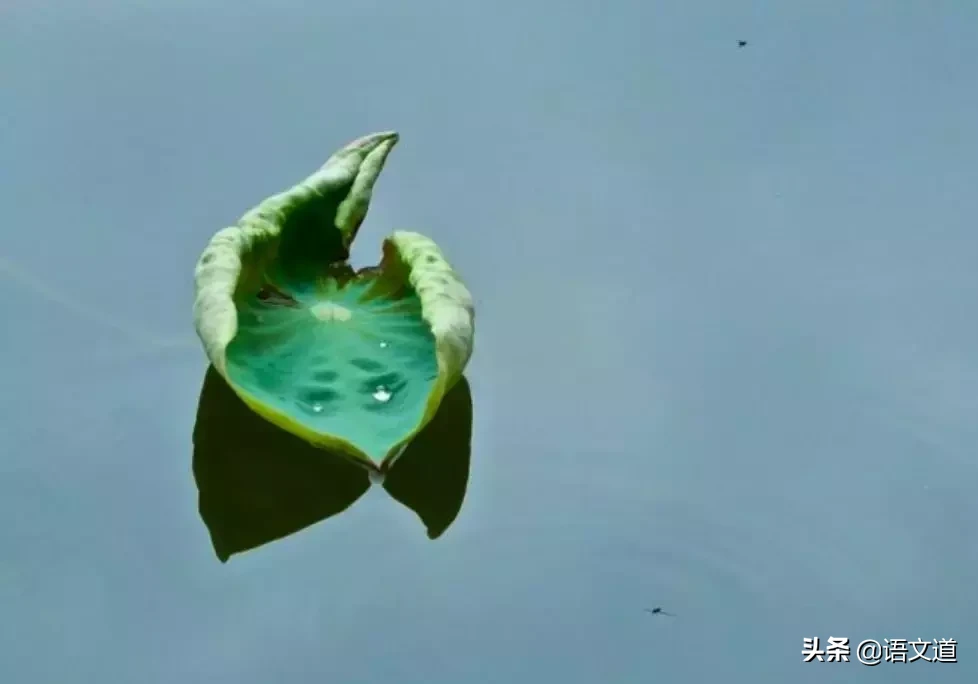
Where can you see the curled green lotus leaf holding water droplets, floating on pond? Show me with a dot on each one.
(352, 361)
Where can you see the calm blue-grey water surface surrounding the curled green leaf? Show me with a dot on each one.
(725, 357)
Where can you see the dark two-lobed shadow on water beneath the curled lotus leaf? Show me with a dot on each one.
(258, 483)
